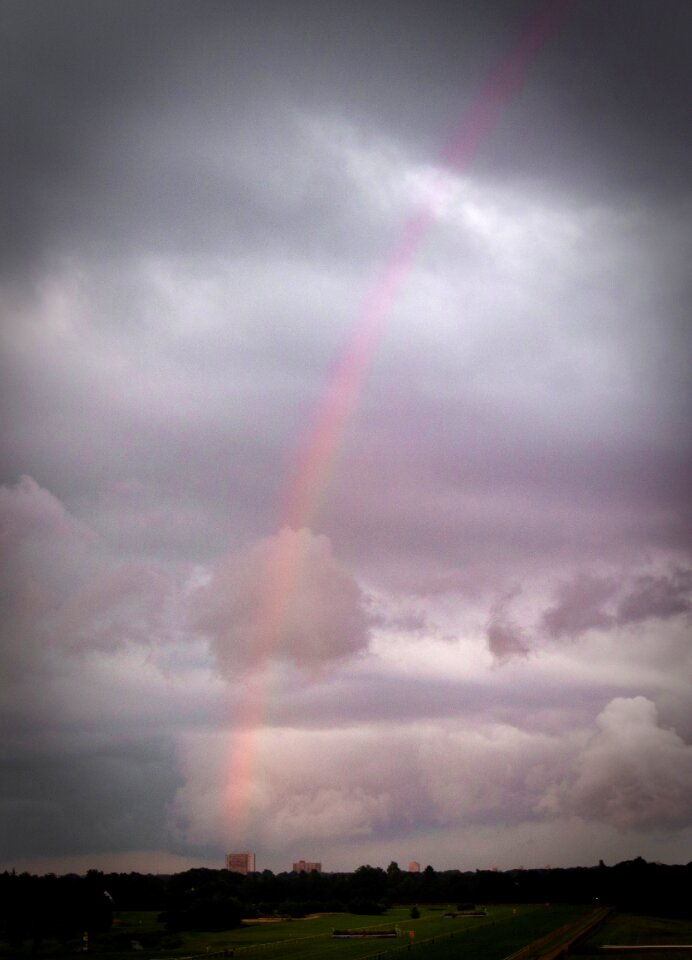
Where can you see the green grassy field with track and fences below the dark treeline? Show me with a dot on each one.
(496, 936)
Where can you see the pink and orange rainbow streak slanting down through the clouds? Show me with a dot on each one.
(316, 455)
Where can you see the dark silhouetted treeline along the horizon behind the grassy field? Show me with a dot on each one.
(66, 906)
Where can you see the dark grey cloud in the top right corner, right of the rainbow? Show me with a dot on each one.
(603, 103)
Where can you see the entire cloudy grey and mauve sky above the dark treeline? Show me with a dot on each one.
(345, 433)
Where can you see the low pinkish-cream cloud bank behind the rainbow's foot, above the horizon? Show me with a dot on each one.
(364, 782)
